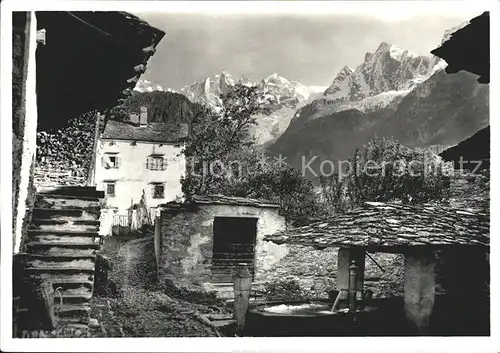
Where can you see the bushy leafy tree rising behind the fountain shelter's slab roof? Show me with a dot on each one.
(385, 170)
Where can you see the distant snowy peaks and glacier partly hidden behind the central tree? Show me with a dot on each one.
(288, 97)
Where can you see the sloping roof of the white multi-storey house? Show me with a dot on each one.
(153, 132)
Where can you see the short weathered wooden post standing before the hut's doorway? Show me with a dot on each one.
(242, 284)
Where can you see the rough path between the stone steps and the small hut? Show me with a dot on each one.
(144, 308)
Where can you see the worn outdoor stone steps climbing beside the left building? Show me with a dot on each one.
(62, 242)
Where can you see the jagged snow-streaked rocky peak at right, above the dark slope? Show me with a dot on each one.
(381, 80)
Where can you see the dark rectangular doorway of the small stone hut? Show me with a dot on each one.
(234, 243)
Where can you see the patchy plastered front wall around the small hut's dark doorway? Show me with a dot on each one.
(187, 241)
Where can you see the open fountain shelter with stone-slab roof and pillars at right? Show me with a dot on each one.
(440, 245)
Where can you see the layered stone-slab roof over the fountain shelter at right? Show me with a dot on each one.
(392, 227)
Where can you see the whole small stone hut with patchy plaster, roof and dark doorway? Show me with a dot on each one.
(202, 241)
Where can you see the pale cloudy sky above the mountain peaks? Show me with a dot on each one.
(308, 48)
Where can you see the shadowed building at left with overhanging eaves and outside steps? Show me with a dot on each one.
(58, 58)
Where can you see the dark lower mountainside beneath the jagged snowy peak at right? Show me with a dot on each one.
(444, 110)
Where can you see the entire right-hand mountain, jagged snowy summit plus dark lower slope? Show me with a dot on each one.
(393, 93)
